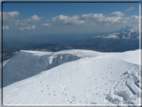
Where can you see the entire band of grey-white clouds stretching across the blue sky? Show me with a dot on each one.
(89, 20)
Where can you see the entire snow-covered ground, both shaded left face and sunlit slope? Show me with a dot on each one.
(77, 77)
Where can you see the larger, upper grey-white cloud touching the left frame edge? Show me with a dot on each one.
(9, 16)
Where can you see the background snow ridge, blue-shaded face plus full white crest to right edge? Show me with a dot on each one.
(29, 63)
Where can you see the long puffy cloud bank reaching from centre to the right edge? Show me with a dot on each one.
(92, 20)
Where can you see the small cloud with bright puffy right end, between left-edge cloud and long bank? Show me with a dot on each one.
(33, 18)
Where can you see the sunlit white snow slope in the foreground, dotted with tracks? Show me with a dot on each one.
(94, 78)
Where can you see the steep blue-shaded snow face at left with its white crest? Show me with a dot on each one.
(29, 63)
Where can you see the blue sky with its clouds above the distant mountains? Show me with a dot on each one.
(28, 19)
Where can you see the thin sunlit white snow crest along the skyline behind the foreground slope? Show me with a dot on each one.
(89, 53)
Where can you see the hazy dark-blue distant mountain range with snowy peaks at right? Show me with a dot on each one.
(118, 41)
